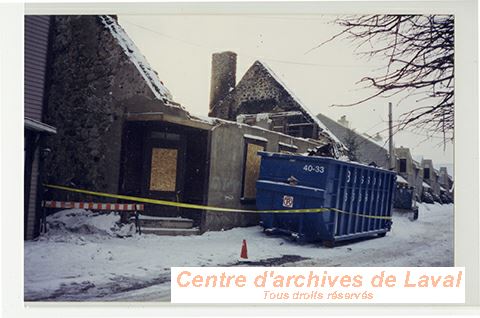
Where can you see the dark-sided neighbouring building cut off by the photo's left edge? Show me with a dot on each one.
(36, 49)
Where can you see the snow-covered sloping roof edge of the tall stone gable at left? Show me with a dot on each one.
(134, 55)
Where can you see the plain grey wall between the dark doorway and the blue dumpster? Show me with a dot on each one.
(226, 172)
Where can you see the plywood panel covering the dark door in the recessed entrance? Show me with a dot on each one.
(163, 171)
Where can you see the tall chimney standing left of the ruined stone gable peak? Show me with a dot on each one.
(223, 80)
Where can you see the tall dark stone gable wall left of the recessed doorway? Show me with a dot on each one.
(90, 80)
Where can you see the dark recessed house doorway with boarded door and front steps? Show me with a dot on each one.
(166, 161)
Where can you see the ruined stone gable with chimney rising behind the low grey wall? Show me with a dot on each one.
(261, 99)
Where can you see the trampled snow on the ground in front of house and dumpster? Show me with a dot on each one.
(87, 256)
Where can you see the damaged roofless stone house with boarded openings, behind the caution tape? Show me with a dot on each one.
(119, 130)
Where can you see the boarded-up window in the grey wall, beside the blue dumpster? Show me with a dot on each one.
(252, 169)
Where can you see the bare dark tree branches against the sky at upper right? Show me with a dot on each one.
(419, 53)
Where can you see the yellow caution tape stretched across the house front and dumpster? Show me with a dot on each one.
(205, 207)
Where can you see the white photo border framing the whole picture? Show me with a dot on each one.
(467, 221)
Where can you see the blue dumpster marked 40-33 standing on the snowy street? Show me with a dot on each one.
(358, 197)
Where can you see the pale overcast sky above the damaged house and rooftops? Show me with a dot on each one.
(179, 48)
